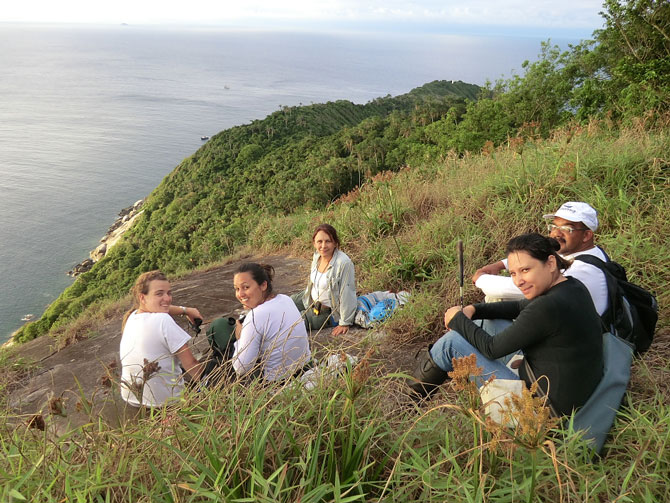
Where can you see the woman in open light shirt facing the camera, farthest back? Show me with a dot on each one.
(330, 296)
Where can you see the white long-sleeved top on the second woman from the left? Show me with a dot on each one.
(275, 332)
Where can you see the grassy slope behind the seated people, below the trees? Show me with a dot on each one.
(402, 229)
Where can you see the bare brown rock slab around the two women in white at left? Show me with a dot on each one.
(83, 377)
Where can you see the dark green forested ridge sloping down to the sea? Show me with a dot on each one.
(296, 157)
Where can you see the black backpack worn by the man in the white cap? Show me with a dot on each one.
(632, 311)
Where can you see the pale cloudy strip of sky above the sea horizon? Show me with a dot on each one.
(531, 17)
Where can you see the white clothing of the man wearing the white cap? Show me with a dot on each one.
(502, 287)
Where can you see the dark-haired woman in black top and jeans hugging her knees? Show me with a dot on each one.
(556, 327)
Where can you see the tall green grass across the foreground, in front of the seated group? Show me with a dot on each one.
(352, 439)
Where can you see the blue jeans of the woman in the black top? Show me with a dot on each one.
(453, 345)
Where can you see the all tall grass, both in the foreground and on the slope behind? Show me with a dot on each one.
(355, 437)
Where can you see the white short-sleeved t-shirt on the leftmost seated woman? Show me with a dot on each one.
(154, 337)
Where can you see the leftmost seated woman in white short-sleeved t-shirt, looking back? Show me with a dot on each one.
(153, 346)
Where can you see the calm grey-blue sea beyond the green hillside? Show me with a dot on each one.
(91, 119)
